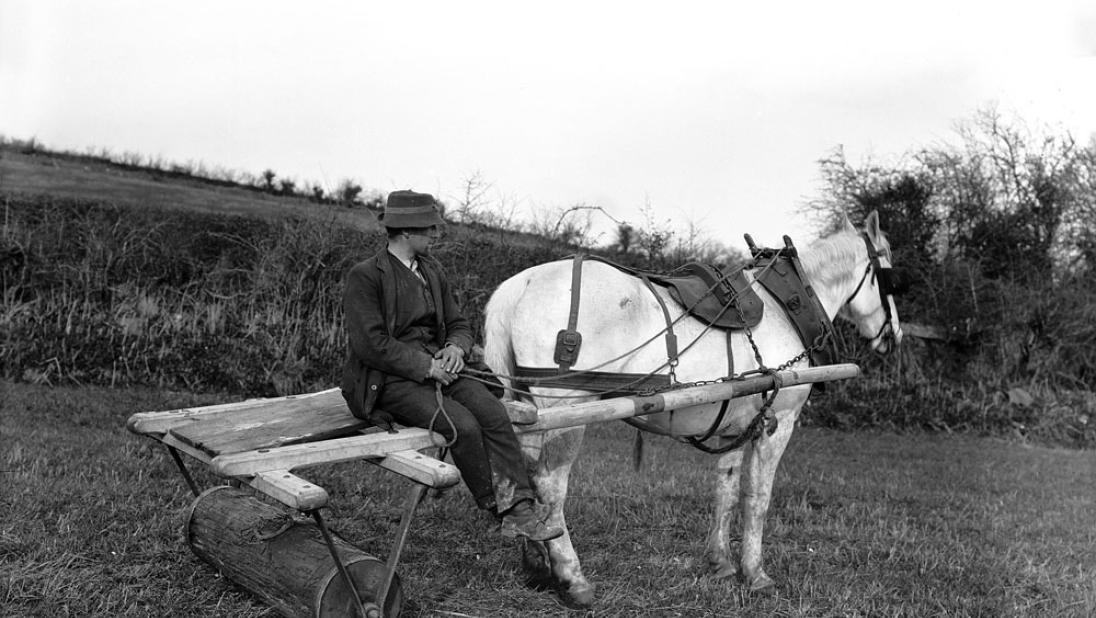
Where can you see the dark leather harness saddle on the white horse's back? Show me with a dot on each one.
(725, 301)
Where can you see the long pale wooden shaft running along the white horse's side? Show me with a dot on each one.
(626, 407)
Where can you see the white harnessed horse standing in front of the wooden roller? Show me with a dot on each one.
(618, 313)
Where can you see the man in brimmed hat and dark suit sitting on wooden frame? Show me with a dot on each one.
(407, 338)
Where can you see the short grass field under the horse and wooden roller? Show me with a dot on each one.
(863, 524)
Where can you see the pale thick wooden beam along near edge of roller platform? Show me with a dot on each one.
(328, 452)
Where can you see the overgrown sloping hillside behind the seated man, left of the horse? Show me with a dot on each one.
(120, 277)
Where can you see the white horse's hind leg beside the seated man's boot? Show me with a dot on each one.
(554, 462)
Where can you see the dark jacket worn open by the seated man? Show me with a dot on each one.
(375, 325)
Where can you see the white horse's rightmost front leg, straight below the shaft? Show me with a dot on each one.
(762, 459)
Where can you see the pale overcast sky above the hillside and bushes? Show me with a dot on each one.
(715, 117)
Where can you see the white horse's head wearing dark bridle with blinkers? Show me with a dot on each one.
(872, 304)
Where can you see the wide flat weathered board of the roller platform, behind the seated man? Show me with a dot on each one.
(280, 424)
